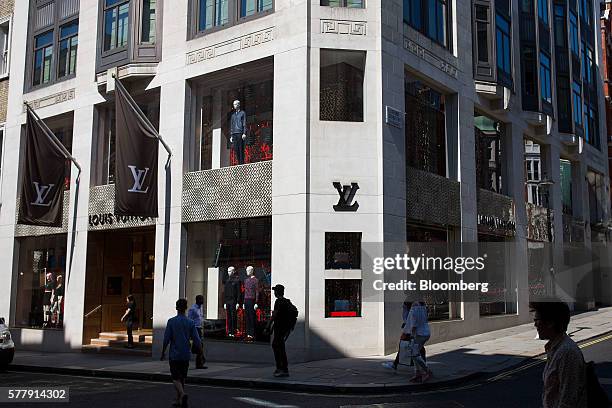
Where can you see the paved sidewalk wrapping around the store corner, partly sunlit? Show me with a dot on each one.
(452, 362)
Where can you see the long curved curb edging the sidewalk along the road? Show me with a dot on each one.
(265, 384)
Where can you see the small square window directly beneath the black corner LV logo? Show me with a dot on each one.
(343, 250)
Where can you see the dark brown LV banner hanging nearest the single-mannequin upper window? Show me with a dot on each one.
(137, 155)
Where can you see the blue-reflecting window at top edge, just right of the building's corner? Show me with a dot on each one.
(430, 17)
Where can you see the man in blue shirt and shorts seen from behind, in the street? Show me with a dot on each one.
(179, 331)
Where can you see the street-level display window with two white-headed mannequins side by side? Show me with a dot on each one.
(229, 263)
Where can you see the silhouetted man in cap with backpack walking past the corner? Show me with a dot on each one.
(281, 324)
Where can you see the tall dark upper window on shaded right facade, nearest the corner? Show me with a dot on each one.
(426, 134)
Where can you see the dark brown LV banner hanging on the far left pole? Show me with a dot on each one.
(42, 181)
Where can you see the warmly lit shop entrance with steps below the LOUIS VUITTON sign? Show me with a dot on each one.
(119, 263)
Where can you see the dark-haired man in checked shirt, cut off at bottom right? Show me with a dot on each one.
(565, 371)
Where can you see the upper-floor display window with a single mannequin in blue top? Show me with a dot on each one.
(234, 116)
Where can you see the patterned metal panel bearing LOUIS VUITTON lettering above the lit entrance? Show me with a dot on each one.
(102, 208)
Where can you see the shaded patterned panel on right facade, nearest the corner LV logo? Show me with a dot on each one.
(431, 198)
